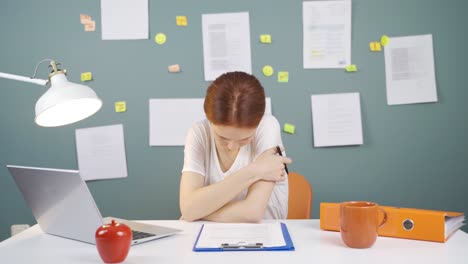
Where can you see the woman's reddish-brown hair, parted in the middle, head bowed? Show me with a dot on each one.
(235, 99)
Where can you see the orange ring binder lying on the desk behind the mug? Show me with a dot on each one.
(409, 223)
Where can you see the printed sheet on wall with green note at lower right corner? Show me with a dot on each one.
(326, 34)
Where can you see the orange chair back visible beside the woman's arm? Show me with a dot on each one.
(300, 197)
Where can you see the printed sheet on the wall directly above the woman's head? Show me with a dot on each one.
(226, 43)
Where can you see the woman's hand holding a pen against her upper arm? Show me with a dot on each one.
(269, 166)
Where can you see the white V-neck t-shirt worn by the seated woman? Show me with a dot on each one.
(200, 157)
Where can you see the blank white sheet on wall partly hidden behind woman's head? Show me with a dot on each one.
(170, 119)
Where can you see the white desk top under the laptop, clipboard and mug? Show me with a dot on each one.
(312, 246)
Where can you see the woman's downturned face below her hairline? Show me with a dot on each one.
(232, 138)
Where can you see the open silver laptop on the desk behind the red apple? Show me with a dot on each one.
(63, 206)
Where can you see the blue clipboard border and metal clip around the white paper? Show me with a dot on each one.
(246, 247)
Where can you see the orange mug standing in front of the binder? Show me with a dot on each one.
(359, 222)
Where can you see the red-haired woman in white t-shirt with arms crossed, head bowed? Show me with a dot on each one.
(232, 171)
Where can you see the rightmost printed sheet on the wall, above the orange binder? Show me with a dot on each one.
(409, 70)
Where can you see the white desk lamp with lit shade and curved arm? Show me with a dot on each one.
(64, 102)
